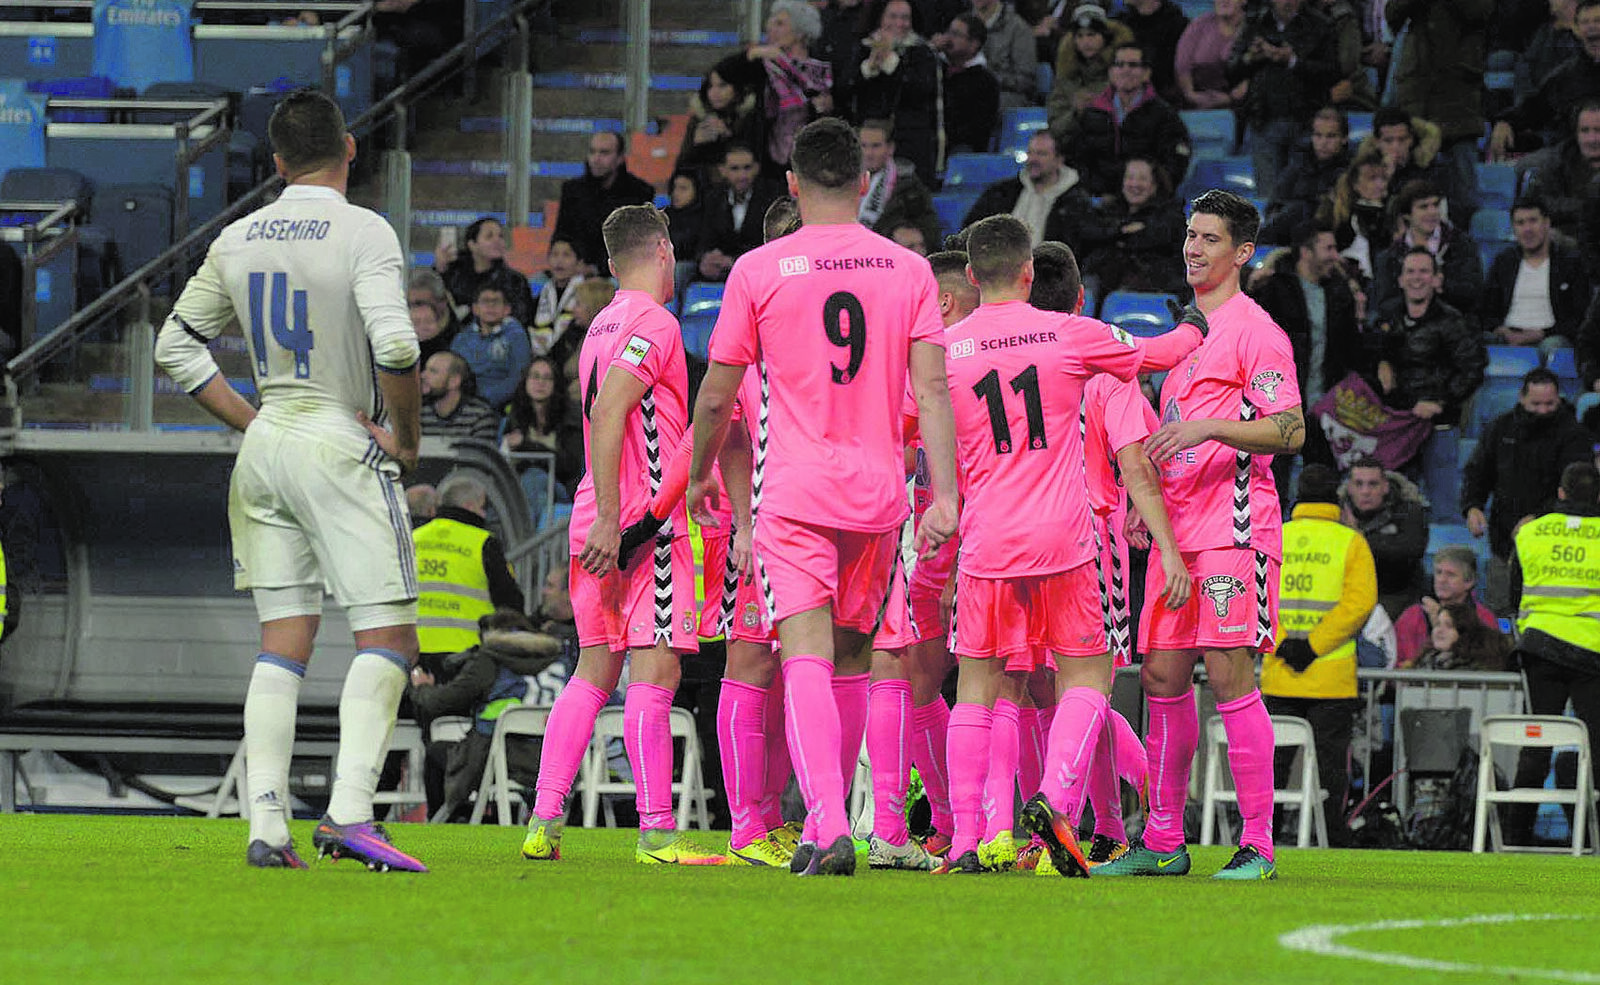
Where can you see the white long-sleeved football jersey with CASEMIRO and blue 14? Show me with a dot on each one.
(318, 287)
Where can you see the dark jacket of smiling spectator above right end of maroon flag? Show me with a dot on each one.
(1438, 357)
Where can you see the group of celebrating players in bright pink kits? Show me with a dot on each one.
(841, 367)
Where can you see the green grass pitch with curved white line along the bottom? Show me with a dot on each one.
(138, 899)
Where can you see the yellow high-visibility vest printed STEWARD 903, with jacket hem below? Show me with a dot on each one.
(1311, 586)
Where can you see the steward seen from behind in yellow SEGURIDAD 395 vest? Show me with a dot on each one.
(462, 572)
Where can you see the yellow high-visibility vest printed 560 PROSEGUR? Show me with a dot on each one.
(1561, 578)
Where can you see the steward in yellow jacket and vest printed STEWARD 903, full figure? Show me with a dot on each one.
(1327, 589)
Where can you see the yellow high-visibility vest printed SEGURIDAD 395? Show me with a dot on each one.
(454, 589)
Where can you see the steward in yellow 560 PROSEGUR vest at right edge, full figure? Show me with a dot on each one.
(1556, 567)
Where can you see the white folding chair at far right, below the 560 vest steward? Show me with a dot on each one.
(1534, 732)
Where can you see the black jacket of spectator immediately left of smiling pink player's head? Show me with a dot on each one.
(1150, 260)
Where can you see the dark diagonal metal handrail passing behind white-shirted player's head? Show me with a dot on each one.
(126, 293)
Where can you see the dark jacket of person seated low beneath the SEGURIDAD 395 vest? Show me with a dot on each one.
(494, 671)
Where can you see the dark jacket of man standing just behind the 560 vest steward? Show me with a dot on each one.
(1519, 465)
